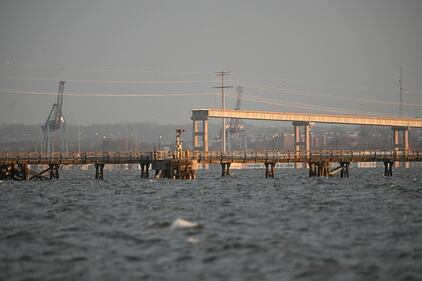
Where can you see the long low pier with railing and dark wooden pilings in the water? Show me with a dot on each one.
(16, 166)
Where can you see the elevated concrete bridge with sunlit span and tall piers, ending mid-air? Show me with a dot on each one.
(303, 120)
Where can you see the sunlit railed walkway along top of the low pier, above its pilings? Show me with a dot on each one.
(212, 157)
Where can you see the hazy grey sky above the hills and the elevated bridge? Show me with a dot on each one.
(154, 61)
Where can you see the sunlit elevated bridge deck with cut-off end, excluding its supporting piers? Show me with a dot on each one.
(204, 114)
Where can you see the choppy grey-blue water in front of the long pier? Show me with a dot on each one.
(292, 227)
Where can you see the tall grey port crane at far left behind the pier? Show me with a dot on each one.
(55, 123)
